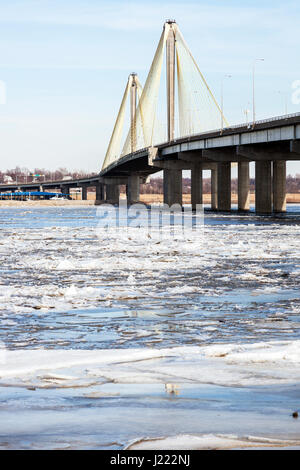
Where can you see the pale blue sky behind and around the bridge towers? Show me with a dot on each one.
(65, 64)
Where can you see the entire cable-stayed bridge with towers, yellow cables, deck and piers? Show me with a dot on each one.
(194, 136)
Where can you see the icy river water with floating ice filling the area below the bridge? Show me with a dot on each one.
(110, 336)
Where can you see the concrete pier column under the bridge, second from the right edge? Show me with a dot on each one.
(263, 187)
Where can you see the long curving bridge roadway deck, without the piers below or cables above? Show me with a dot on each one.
(270, 136)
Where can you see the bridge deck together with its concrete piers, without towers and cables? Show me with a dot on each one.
(270, 144)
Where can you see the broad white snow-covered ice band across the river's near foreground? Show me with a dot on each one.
(224, 364)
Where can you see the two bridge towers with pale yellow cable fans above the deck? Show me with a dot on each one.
(198, 109)
